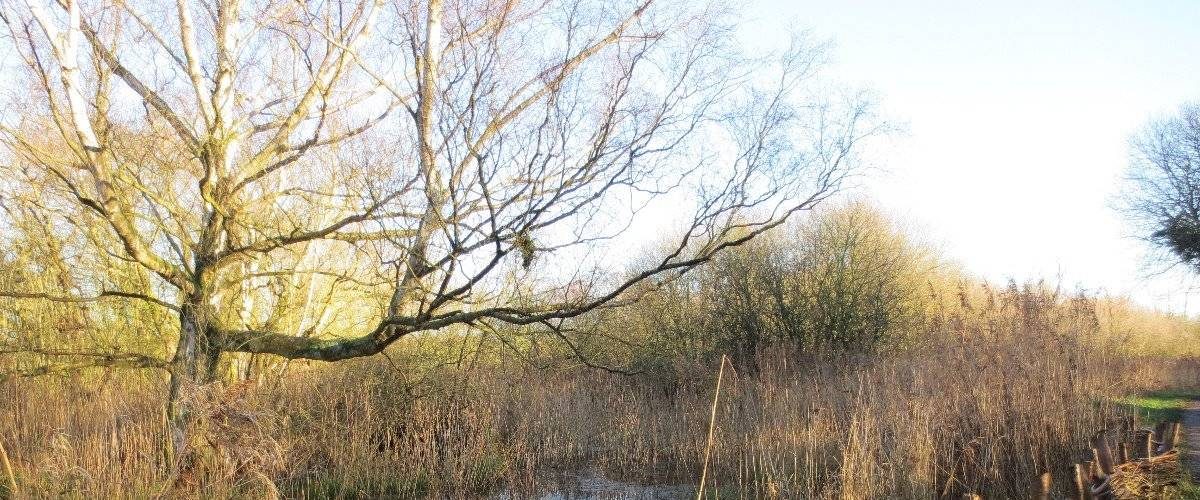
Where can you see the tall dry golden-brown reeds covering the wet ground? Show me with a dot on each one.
(1005, 385)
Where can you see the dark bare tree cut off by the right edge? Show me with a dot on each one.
(1165, 185)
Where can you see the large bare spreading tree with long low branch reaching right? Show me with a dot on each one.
(410, 166)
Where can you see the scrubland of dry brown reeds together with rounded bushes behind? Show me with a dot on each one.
(861, 366)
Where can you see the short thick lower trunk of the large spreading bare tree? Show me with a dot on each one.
(193, 369)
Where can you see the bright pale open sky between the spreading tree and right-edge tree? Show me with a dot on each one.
(1018, 117)
